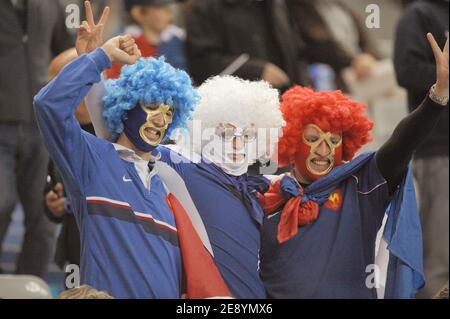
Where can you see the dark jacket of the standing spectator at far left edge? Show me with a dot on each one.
(25, 56)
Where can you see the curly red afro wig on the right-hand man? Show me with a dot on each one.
(331, 111)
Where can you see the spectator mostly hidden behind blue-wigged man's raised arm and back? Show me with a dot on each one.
(57, 206)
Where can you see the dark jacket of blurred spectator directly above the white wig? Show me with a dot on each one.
(219, 31)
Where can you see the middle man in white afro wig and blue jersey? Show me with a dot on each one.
(230, 130)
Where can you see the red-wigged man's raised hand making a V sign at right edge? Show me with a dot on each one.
(442, 57)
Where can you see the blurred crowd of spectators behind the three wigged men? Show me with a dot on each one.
(325, 44)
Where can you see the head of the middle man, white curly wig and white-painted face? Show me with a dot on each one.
(236, 107)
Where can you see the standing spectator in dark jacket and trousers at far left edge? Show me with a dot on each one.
(31, 32)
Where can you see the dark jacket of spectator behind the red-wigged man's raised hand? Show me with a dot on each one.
(415, 64)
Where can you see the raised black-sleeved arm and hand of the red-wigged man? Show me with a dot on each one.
(394, 156)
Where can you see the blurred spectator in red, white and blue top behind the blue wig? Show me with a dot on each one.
(155, 35)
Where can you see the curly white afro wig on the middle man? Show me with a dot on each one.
(230, 100)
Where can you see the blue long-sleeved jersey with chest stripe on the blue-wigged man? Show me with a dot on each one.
(129, 242)
